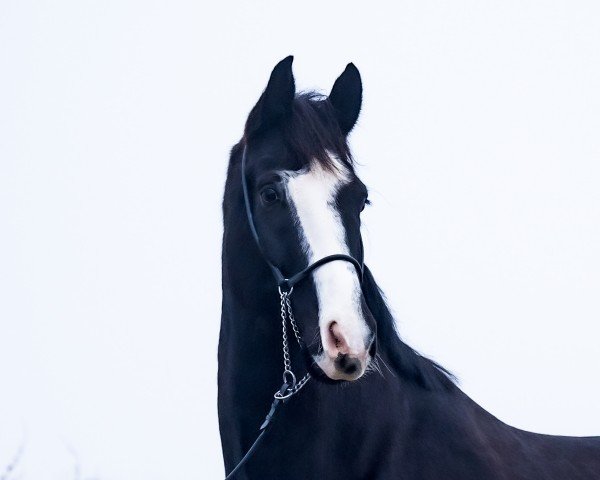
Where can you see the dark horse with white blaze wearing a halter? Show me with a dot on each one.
(359, 402)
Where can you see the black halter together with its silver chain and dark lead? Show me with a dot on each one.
(285, 285)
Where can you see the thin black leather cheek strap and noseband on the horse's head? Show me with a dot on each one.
(283, 282)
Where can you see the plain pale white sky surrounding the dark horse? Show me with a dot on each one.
(479, 139)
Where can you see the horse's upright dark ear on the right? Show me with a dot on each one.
(346, 97)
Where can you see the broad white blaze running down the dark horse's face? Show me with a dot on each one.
(313, 193)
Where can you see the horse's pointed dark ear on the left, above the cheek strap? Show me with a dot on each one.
(275, 103)
